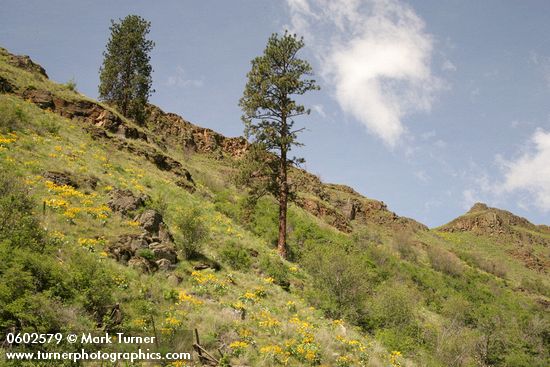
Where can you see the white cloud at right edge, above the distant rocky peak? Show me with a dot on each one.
(531, 171)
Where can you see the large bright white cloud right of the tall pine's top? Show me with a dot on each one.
(377, 55)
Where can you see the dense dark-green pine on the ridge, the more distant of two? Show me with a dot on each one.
(125, 76)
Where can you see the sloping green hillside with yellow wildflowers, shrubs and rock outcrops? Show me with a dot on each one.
(98, 212)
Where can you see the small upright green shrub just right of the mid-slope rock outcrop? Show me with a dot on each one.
(191, 232)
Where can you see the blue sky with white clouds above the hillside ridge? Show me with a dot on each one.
(427, 105)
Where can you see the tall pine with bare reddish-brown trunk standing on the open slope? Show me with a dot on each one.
(269, 111)
